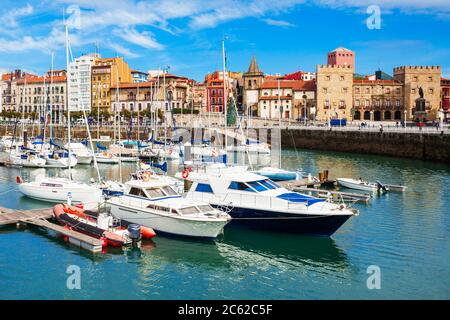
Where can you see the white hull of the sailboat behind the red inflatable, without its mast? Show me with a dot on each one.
(59, 189)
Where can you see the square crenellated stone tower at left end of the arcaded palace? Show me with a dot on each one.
(334, 92)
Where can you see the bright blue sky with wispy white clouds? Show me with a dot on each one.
(284, 35)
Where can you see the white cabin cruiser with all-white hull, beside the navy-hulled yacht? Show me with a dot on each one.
(153, 203)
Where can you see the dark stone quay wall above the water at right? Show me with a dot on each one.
(425, 146)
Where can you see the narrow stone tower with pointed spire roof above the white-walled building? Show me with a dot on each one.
(253, 80)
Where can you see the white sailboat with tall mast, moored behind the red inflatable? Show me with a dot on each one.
(63, 189)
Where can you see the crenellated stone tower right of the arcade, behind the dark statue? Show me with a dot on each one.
(414, 77)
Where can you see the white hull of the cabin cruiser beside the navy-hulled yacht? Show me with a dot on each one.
(174, 225)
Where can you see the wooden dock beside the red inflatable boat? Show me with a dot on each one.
(38, 218)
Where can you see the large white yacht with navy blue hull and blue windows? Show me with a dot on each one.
(257, 202)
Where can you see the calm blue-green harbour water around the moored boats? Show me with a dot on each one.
(406, 235)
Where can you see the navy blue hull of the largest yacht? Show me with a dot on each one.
(320, 225)
